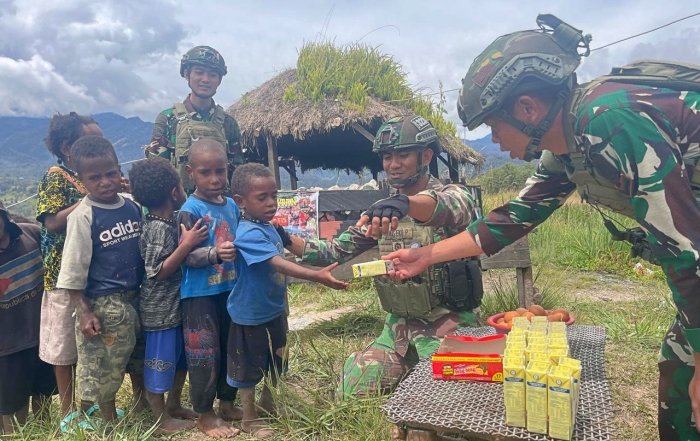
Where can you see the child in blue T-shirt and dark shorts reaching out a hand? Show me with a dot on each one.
(258, 335)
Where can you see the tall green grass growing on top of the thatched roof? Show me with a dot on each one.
(355, 71)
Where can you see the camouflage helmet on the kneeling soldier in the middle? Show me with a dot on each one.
(406, 132)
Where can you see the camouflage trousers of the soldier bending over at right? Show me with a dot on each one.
(676, 369)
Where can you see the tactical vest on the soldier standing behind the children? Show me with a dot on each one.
(189, 131)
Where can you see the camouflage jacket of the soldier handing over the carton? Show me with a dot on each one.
(649, 138)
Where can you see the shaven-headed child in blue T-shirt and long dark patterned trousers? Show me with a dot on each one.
(208, 276)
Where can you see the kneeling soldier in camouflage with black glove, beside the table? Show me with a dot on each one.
(405, 145)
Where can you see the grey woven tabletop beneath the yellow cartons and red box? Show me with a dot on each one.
(455, 408)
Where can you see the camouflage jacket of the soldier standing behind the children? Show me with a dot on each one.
(165, 128)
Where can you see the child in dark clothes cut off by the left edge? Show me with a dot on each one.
(22, 373)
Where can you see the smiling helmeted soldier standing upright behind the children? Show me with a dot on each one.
(198, 116)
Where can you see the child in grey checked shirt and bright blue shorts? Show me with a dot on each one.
(156, 185)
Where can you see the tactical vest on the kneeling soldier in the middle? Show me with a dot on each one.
(418, 296)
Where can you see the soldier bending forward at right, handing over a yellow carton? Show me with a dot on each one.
(629, 147)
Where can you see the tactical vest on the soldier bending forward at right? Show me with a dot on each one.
(599, 190)
